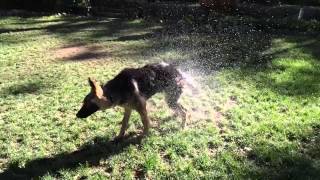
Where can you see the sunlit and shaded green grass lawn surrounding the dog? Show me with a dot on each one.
(257, 114)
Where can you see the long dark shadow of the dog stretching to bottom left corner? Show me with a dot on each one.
(90, 154)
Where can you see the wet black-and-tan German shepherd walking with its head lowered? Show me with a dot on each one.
(131, 88)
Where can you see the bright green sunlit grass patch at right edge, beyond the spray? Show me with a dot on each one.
(293, 71)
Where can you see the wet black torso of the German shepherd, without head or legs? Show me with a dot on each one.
(150, 79)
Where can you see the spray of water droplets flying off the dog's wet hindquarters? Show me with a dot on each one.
(202, 51)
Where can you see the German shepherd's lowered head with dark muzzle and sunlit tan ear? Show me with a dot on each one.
(94, 101)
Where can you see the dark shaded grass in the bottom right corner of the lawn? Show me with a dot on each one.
(282, 163)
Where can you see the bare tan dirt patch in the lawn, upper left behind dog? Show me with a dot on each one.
(81, 52)
